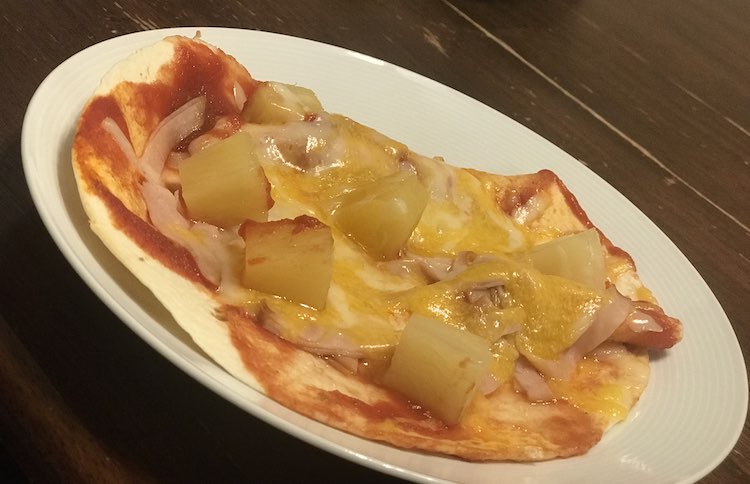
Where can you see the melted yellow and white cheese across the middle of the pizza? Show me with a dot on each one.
(310, 163)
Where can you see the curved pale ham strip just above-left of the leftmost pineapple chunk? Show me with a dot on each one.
(169, 133)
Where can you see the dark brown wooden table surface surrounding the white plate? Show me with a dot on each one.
(652, 96)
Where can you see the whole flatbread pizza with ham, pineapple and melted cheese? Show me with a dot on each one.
(377, 290)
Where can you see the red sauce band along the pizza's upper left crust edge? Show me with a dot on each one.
(195, 70)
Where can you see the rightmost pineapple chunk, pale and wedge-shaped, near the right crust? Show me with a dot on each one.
(578, 257)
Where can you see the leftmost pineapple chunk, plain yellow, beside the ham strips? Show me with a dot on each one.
(224, 184)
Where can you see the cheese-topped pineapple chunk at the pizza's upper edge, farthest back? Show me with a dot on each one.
(277, 103)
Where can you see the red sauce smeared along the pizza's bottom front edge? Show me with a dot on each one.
(391, 417)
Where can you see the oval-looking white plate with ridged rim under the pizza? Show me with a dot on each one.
(693, 410)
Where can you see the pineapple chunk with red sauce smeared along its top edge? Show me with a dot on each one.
(289, 258)
